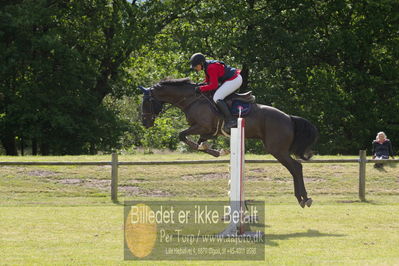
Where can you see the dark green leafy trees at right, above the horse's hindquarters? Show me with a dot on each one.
(333, 62)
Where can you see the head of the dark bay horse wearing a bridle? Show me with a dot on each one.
(150, 107)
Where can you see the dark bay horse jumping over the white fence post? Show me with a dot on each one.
(282, 134)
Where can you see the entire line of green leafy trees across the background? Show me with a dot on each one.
(69, 69)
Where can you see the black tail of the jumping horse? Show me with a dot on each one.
(305, 136)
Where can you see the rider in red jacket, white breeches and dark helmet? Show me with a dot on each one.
(218, 73)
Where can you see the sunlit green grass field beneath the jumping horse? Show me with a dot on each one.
(61, 215)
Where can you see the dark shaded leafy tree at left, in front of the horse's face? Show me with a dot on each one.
(61, 58)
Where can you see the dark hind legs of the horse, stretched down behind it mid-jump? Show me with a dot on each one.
(295, 168)
